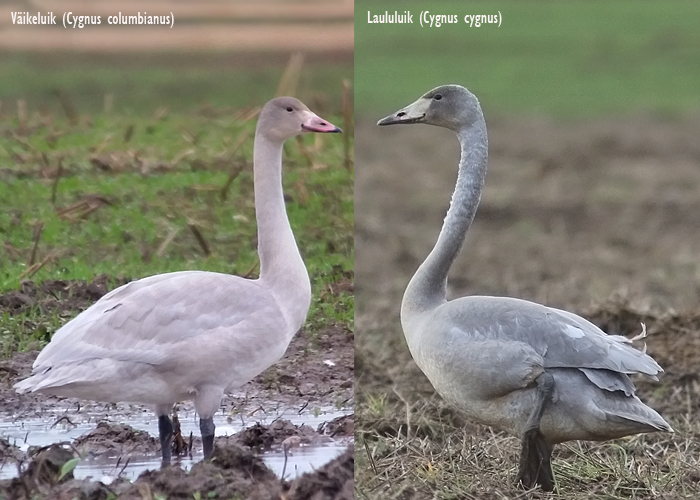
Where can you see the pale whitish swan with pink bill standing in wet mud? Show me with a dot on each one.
(193, 334)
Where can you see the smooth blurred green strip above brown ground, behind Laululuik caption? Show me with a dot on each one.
(569, 59)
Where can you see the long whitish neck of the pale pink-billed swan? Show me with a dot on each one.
(281, 265)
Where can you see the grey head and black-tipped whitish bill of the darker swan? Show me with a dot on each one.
(449, 106)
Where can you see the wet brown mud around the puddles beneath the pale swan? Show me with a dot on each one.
(317, 372)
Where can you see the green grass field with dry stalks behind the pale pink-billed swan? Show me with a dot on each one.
(149, 170)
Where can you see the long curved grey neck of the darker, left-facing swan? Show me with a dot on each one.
(427, 288)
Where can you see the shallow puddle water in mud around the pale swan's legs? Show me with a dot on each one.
(105, 463)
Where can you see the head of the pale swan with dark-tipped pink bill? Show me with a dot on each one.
(285, 117)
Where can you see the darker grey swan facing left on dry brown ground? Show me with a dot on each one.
(542, 374)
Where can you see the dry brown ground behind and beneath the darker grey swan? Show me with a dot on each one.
(598, 217)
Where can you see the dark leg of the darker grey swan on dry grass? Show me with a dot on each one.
(536, 454)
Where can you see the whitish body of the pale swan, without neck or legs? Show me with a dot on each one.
(141, 332)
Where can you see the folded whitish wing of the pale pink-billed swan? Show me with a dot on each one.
(135, 321)
